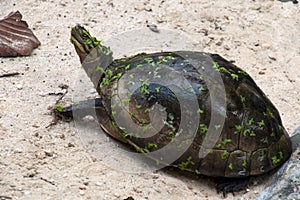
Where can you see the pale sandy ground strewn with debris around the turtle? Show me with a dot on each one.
(37, 162)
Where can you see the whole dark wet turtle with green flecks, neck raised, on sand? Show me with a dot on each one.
(251, 140)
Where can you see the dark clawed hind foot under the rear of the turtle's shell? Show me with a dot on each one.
(232, 185)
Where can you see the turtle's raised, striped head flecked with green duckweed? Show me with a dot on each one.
(85, 44)
